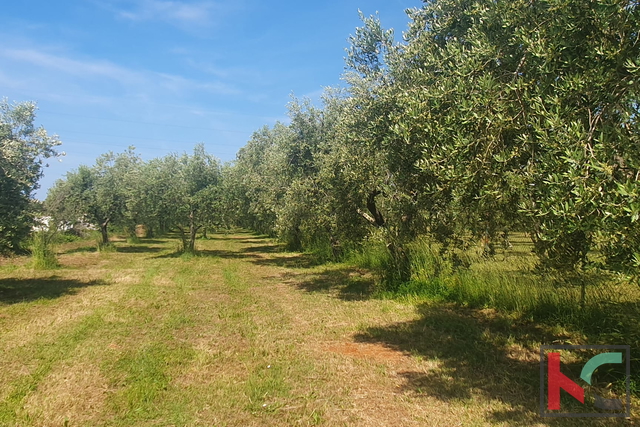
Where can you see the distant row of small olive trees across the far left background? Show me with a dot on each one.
(175, 192)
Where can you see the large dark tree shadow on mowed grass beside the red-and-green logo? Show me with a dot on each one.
(479, 354)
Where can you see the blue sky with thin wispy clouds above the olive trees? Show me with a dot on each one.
(166, 75)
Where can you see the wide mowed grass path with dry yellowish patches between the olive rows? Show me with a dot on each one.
(245, 335)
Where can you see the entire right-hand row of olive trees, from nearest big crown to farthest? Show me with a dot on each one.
(491, 116)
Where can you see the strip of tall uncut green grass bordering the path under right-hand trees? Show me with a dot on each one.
(510, 285)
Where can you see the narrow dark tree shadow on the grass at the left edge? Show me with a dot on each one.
(24, 290)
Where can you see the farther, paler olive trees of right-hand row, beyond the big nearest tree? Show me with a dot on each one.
(297, 183)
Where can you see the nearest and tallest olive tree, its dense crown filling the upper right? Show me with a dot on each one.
(519, 113)
